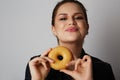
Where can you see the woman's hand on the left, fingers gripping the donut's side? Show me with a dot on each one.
(39, 66)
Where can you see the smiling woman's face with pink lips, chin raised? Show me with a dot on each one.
(70, 24)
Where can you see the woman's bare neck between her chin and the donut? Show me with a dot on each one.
(75, 48)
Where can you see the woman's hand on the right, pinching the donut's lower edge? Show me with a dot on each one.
(82, 69)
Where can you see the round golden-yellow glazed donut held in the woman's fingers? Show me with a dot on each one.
(61, 55)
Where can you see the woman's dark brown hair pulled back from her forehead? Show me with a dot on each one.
(66, 1)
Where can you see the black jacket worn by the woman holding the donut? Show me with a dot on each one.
(101, 71)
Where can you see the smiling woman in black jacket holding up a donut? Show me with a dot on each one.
(70, 26)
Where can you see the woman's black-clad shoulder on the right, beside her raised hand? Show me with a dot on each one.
(103, 69)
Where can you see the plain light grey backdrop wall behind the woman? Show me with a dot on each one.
(25, 31)
